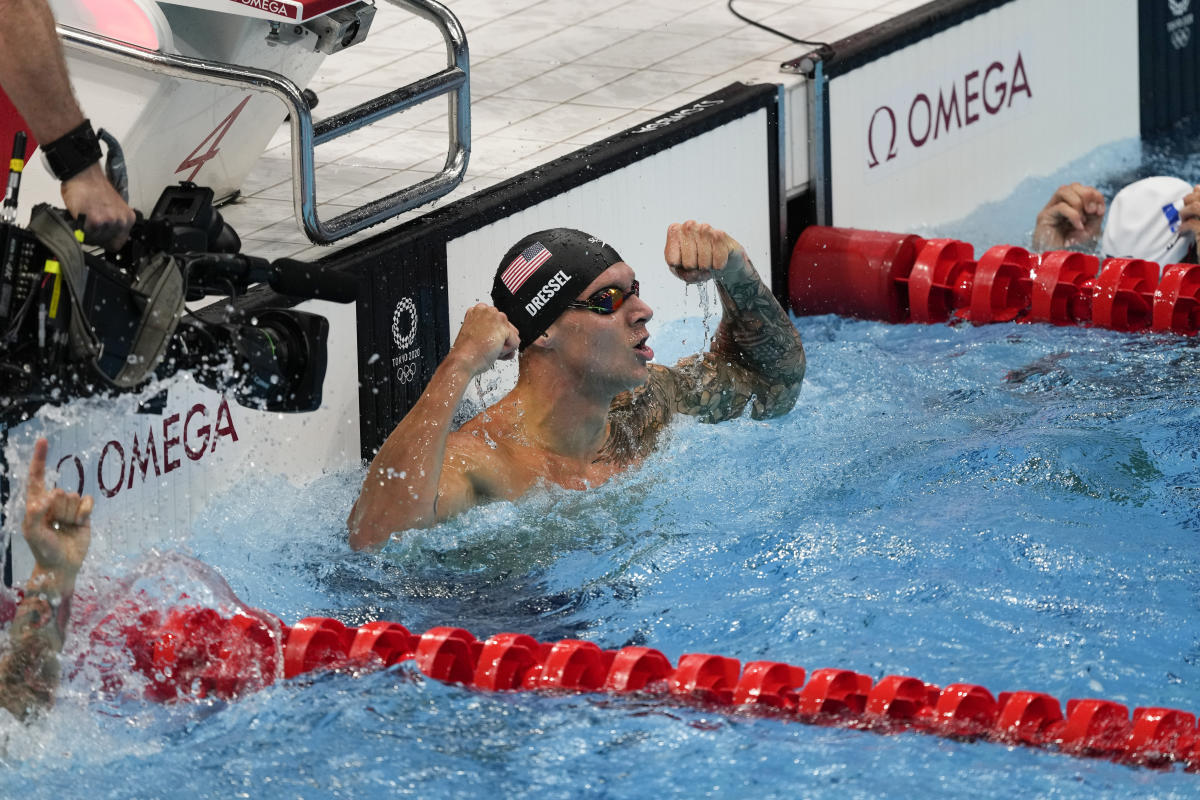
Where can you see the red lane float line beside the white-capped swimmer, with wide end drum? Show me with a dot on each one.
(902, 278)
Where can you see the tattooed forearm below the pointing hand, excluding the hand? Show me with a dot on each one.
(29, 673)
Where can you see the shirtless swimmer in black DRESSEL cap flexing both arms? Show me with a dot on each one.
(589, 404)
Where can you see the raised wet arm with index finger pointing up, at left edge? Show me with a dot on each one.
(58, 528)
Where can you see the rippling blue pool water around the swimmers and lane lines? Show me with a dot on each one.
(1010, 506)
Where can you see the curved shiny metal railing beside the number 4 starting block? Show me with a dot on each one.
(455, 81)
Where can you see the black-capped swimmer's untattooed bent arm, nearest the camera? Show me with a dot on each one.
(411, 483)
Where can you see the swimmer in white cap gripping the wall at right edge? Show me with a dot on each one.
(1156, 219)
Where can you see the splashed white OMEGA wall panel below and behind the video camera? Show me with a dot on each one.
(194, 443)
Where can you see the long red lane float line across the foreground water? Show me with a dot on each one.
(197, 653)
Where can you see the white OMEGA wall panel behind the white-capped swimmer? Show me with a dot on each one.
(931, 129)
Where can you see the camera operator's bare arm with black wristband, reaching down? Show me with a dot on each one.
(34, 75)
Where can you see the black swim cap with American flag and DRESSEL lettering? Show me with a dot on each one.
(544, 273)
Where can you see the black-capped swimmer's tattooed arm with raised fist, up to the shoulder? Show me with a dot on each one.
(757, 356)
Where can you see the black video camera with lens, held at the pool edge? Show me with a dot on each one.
(273, 358)
